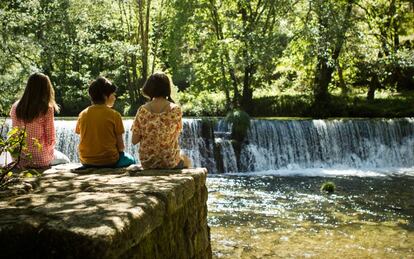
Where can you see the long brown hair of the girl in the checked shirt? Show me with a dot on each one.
(38, 96)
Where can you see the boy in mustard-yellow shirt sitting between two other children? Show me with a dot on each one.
(101, 129)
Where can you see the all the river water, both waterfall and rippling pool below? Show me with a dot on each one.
(265, 201)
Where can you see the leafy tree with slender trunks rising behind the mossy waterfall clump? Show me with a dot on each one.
(248, 41)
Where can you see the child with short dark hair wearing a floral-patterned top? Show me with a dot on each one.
(157, 126)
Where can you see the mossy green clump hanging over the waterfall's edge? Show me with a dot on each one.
(240, 124)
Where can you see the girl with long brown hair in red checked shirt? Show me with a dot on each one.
(34, 112)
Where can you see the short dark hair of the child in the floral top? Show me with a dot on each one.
(157, 85)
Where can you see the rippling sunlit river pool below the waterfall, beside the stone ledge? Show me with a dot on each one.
(265, 215)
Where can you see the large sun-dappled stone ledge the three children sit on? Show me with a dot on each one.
(108, 213)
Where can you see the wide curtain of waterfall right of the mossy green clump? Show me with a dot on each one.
(340, 143)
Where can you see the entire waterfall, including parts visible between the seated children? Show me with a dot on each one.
(279, 144)
